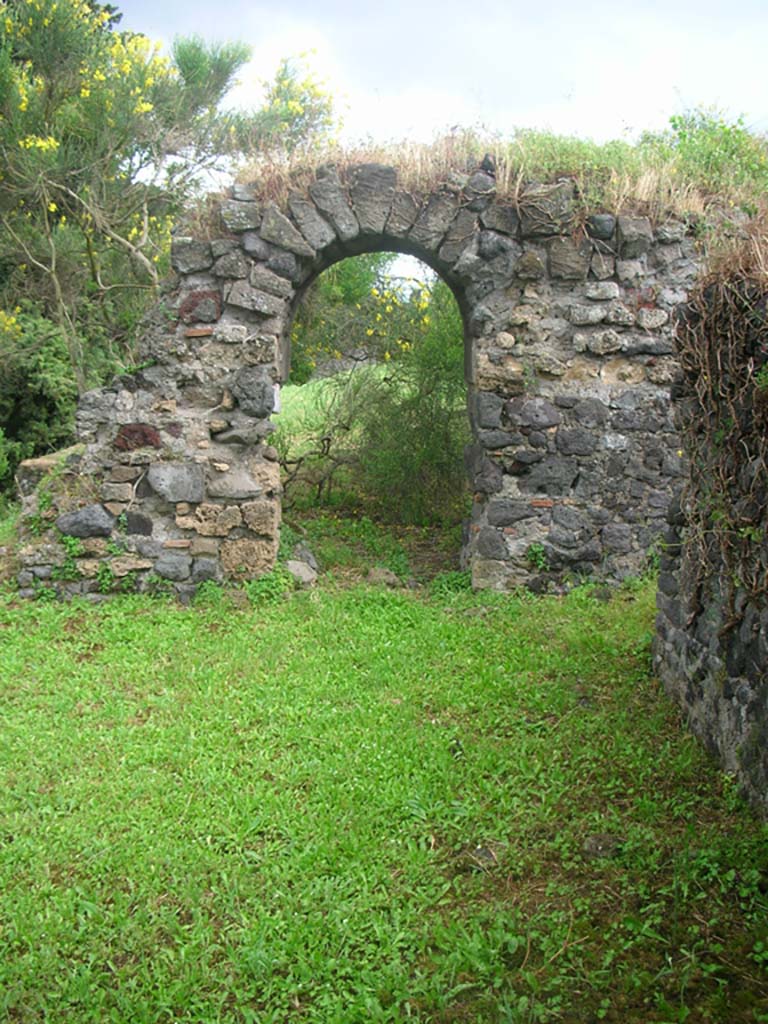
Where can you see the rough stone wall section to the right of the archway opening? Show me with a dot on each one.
(577, 453)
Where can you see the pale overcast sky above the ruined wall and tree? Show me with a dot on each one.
(603, 70)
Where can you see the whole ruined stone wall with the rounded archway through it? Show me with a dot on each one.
(569, 363)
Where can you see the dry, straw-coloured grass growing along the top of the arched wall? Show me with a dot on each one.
(620, 177)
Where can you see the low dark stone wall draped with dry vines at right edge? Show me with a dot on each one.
(711, 650)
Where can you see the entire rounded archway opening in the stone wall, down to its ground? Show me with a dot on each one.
(373, 422)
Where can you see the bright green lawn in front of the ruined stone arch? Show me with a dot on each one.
(364, 805)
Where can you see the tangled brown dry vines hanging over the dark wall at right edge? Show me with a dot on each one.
(723, 345)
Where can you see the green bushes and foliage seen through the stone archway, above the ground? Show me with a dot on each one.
(392, 431)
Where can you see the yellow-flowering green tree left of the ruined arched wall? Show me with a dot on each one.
(103, 144)
